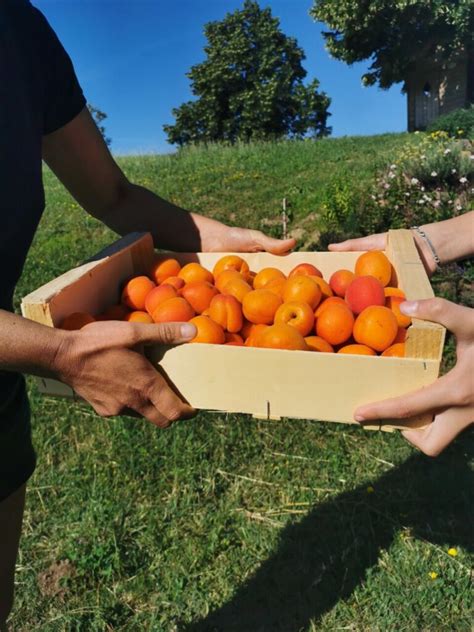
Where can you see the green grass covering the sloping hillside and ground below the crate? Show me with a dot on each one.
(224, 522)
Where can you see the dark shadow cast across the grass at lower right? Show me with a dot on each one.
(323, 558)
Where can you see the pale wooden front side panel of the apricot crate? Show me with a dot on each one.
(276, 383)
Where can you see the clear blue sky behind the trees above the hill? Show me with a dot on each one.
(131, 57)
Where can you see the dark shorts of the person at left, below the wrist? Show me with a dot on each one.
(17, 456)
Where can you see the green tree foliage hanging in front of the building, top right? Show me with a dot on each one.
(393, 34)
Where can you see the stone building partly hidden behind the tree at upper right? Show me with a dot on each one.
(436, 88)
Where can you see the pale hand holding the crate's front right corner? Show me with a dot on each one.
(451, 397)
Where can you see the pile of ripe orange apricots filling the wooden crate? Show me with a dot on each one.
(354, 312)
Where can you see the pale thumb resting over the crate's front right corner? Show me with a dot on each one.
(456, 318)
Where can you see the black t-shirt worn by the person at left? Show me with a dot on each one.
(39, 93)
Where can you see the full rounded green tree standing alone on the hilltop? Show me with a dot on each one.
(250, 85)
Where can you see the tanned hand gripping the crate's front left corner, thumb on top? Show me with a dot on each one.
(104, 363)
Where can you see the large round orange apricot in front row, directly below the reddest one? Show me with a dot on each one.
(376, 327)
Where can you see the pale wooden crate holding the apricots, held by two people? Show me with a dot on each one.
(266, 383)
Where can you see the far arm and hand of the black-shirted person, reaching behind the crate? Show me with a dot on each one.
(80, 158)
